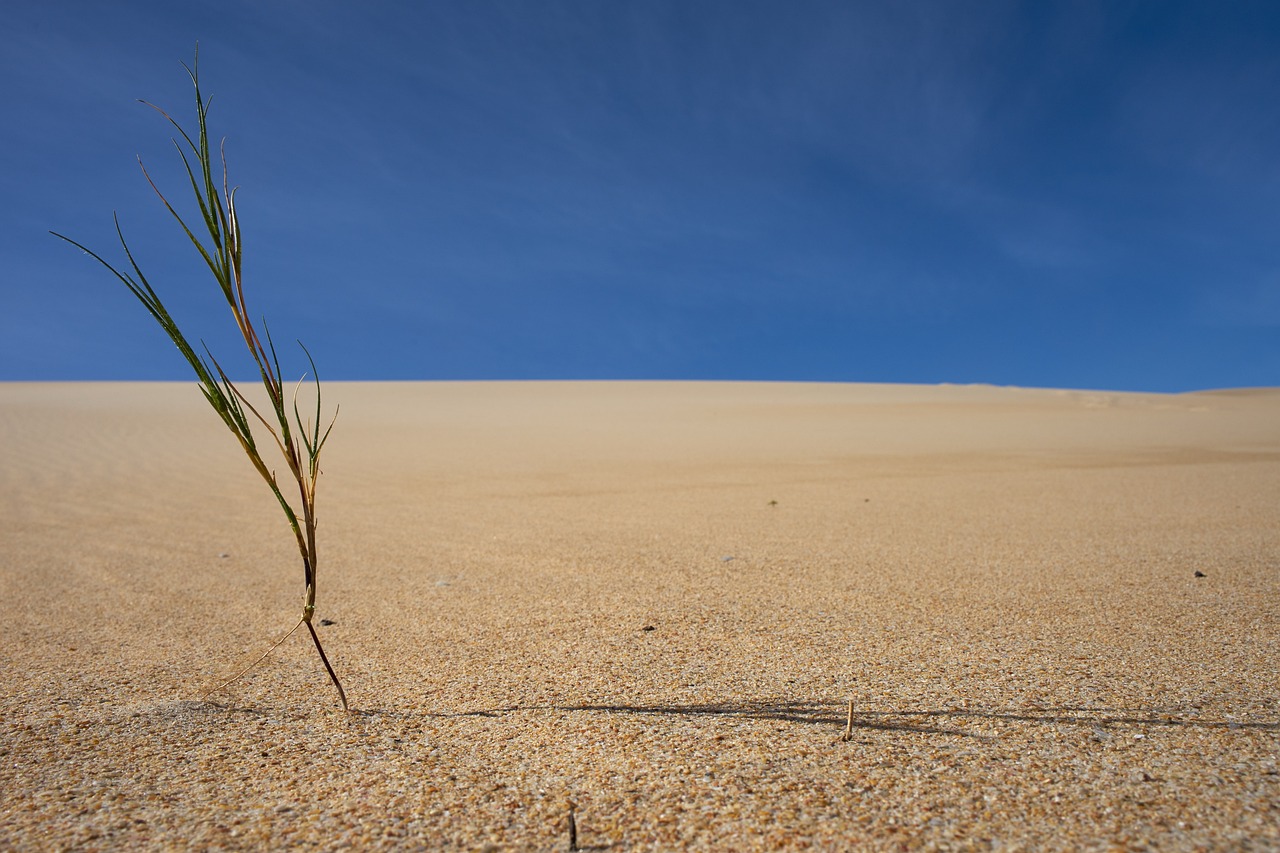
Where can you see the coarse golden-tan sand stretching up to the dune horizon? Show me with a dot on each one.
(1057, 614)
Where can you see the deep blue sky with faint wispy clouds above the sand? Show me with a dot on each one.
(1041, 194)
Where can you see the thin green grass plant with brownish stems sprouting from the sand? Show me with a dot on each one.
(298, 440)
